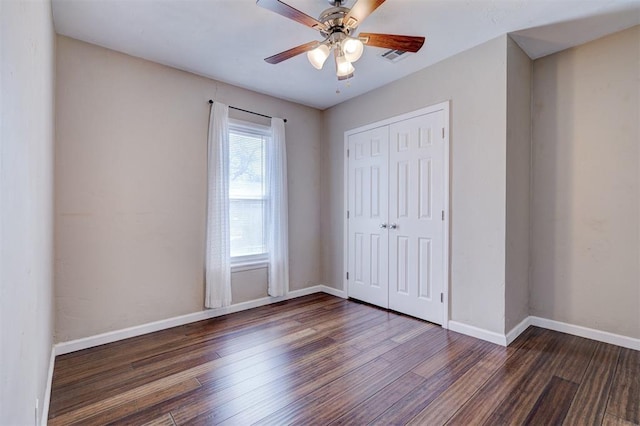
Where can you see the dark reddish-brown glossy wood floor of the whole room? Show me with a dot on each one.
(324, 360)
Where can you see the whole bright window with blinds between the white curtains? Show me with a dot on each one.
(248, 200)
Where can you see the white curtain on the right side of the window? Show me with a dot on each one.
(277, 215)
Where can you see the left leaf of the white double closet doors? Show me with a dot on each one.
(368, 203)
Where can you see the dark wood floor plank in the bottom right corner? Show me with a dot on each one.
(625, 390)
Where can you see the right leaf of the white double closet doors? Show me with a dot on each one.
(416, 228)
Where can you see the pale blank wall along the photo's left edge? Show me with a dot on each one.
(26, 207)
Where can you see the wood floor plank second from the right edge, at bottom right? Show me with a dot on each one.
(590, 402)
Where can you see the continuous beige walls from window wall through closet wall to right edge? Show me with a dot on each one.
(131, 175)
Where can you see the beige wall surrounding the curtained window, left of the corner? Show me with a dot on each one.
(131, 187)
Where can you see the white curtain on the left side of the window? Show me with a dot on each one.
(218, 257)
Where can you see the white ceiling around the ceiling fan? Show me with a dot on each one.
(227, 40)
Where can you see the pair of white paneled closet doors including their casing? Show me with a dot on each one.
(397, 176)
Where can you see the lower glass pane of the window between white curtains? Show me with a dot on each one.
(246, 218)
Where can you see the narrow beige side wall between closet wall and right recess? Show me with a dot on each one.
(518, 184)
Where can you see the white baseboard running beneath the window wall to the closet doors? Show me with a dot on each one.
(138, 330)
